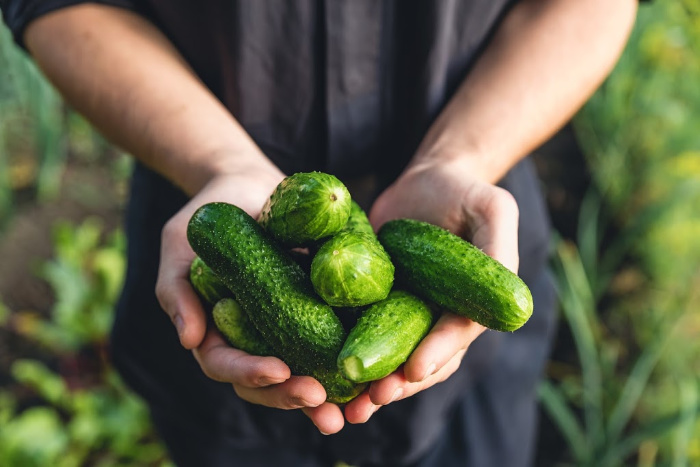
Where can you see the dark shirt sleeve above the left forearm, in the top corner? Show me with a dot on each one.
(17, 14)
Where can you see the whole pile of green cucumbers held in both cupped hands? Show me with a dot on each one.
(311, 283)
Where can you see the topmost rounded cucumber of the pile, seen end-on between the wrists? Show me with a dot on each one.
(306, 207)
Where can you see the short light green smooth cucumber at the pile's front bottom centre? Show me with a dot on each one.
(384, 337)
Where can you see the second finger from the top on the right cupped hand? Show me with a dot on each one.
(395, 386)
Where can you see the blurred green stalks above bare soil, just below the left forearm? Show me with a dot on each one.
(38, 132)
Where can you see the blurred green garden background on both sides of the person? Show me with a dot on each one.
(623, 185)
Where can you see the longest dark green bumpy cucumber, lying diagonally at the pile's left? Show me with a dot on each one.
(274, 291)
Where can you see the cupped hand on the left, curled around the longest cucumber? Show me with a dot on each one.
(260, 380)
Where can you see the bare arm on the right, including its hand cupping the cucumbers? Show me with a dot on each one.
(544, 62)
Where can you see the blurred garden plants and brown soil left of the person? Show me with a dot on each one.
(62, 191)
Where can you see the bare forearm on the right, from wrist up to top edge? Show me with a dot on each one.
(544, 62)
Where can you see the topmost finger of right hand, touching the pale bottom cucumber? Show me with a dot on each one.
(450, 334)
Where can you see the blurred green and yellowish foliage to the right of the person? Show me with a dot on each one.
(631, 305)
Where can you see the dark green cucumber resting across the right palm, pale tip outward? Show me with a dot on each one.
(453, 273)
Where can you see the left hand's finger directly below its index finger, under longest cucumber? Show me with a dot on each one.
(294, 393)
